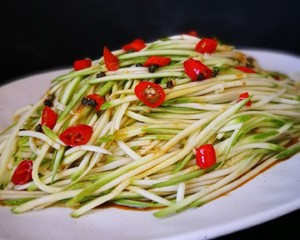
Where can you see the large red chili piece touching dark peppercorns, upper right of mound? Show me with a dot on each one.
(196, 70)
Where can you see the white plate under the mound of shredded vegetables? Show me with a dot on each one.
(272, 194)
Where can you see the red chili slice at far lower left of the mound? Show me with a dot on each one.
(23, 173)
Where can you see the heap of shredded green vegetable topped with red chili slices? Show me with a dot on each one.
(165, 125)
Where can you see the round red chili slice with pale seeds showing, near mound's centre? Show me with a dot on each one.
(151, 94)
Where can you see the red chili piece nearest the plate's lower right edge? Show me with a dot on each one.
(206, 156)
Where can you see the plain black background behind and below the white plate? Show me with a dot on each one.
(38, 36)
